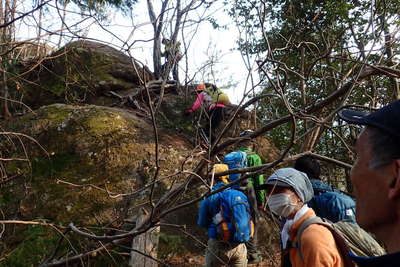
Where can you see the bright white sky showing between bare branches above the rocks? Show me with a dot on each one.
(207, 41)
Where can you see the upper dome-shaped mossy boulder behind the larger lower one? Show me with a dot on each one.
(80, 72)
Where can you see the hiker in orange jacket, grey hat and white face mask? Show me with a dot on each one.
(288, 191)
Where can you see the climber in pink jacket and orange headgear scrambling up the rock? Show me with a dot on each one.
(213, 100)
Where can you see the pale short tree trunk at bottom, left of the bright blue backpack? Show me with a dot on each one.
(146, 243)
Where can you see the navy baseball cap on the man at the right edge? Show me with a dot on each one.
(386, 118)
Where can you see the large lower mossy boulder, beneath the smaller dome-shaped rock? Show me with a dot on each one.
(88, 168)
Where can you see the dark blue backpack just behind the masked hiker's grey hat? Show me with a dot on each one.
(331, 204)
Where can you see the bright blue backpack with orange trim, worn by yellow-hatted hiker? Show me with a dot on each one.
(234, 223)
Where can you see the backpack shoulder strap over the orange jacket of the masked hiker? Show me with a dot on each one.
(343, 248)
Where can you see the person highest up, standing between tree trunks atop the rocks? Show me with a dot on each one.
(172, 56)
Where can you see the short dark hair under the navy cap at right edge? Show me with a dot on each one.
(384, 147)
